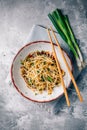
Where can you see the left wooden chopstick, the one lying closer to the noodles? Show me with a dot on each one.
(58, 66)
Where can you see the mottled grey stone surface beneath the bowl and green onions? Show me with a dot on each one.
(16, 113)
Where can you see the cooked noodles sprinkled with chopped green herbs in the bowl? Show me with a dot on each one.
(39, 71)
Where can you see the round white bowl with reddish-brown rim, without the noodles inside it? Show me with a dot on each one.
(19, 82)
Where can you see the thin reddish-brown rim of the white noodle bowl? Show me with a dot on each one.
(11, 72)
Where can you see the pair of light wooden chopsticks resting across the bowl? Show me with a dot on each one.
(68, 68)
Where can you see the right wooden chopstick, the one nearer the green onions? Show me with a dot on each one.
(68, 68)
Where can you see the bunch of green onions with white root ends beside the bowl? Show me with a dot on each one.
(62, 25)
